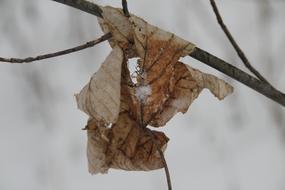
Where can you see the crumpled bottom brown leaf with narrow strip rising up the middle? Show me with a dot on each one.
(126, 145)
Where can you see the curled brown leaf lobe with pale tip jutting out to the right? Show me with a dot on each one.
(188, 84)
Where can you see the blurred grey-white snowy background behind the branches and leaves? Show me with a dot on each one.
(236, 144)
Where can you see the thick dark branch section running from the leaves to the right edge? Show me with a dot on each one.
(239, 75)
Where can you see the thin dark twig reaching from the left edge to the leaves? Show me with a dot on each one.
(59, 53)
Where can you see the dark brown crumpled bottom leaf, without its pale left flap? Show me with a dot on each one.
(132, 148)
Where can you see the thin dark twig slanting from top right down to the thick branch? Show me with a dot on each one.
(234, 43)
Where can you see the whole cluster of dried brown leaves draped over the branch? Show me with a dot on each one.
(120, 108)
